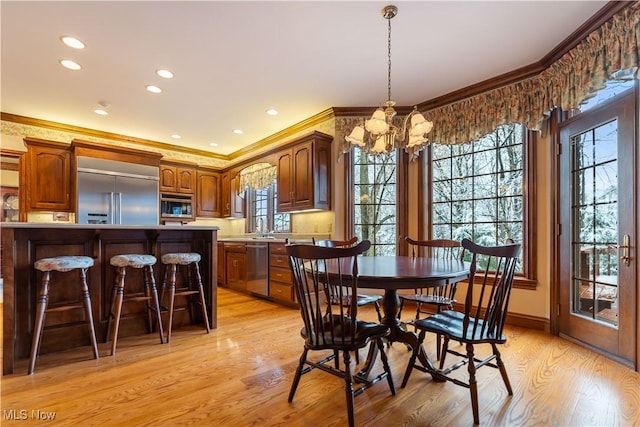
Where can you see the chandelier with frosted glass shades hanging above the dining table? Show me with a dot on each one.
(383, 136)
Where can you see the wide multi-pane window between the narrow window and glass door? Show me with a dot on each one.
(477, 190)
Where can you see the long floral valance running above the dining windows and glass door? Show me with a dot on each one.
(565, 83)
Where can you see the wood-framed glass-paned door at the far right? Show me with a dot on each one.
(598, 239)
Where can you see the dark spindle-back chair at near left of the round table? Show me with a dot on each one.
(328, 324)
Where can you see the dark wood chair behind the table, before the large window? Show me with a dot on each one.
(432, 300)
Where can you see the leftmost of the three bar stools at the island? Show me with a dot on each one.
(62, 264)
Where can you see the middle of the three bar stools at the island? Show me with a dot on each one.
(145, 262)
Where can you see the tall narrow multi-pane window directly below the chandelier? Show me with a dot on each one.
(374, 200)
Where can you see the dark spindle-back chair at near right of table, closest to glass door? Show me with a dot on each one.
(482, 321)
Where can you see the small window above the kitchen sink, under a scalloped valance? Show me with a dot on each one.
(261, 214)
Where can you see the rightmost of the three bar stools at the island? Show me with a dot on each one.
(189, 260)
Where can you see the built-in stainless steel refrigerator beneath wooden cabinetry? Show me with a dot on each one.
(112, 192)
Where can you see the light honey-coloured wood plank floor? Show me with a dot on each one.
(240, 375)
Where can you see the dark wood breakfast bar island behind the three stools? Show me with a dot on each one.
(25, 243)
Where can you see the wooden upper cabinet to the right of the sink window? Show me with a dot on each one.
(304, 174)
